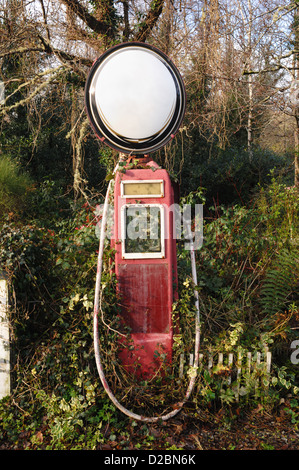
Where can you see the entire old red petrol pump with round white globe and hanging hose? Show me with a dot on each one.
(135, 101)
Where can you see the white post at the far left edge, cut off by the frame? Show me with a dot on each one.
(4, 340)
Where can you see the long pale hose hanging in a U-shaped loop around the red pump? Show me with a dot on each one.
(114, 400)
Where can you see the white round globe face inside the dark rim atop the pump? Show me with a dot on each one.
(135, 94)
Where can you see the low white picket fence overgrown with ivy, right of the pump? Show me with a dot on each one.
(235, 368)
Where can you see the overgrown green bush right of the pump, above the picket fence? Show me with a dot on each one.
(242, 246)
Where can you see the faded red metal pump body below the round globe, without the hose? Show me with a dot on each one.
(145, 265)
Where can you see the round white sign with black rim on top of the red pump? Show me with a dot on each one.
(135, 98)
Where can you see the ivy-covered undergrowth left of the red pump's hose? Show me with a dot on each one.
(52, 273)
